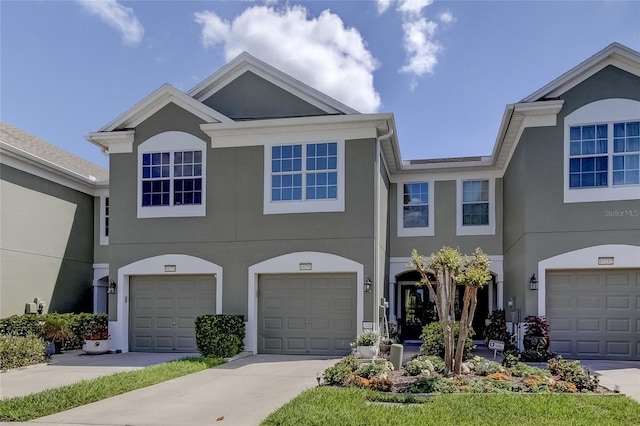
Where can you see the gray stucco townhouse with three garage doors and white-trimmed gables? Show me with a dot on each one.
(255, 194)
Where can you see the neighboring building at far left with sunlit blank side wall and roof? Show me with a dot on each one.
(47, 226)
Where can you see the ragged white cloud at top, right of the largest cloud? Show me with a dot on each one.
(419, 41)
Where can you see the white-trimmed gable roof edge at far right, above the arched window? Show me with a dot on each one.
(614, 54)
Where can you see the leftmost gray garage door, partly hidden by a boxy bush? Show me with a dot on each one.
(163, 310)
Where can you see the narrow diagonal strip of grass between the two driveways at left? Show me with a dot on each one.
(51, 401)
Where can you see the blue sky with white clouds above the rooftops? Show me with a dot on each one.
(445, 69)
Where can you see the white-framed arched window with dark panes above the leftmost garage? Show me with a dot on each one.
(171, 176)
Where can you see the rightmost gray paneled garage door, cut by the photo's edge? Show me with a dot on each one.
(594, 314)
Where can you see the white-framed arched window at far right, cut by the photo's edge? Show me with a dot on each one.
(602, 151)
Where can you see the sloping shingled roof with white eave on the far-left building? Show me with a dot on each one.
(28, 148)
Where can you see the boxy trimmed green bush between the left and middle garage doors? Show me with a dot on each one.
(220, 336)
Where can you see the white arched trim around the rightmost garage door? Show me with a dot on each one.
(625, 256)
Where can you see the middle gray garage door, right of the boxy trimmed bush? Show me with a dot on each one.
(306, 314)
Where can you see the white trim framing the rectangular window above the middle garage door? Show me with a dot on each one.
(304, 206)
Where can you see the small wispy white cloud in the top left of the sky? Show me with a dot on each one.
(118, 17)
